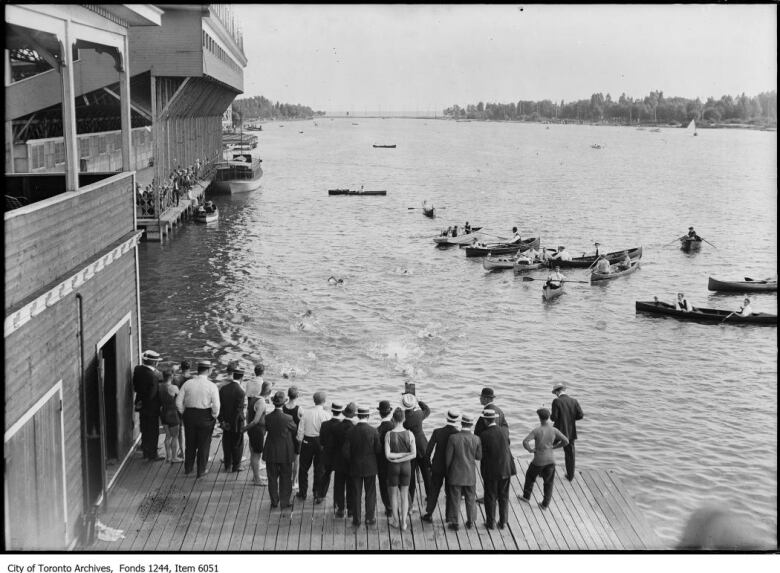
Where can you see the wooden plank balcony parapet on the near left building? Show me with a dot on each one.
(43, 244)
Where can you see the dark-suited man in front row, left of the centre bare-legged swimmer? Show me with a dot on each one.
(361, 448)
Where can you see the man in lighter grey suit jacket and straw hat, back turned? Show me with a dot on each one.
(463, 451)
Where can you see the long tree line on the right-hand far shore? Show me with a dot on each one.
(654, 108)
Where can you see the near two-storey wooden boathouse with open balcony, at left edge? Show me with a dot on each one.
(72, 308)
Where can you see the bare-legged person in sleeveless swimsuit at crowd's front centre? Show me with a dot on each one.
(400, 449)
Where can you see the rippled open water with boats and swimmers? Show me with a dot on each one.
(685, 413)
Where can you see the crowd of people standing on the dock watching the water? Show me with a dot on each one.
(339, 445)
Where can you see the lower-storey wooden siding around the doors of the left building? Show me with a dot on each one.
(47, 348)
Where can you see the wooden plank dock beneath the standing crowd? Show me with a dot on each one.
(160, 509)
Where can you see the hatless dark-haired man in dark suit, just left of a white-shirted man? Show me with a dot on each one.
(279, 452)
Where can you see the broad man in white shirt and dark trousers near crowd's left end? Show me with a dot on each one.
(198, 402)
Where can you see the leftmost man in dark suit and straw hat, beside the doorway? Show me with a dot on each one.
(146, 380)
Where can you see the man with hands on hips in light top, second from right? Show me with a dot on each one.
(546, 438)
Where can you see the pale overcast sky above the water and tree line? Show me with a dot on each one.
(413, 57)
